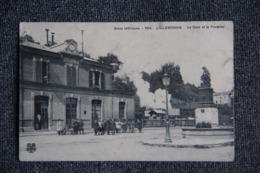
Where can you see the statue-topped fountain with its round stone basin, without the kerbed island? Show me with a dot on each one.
(206, 114)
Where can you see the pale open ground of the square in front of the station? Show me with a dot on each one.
(119, 147)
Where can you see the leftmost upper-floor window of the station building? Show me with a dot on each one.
(42, 71)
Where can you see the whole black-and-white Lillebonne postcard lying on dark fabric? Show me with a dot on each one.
(146, 91)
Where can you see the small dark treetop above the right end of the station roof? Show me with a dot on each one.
(109, 59)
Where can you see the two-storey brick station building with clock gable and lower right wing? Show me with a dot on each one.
(64, 85)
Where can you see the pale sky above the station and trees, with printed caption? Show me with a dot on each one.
(146, 46)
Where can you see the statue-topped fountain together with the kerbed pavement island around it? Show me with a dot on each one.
(207, 133)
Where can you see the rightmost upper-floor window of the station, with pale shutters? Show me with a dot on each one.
(96, 80)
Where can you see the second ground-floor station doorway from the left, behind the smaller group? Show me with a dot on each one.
(71, 111)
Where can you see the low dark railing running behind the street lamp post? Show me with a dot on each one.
(161, 123)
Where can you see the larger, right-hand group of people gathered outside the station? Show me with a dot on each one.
(113, 126)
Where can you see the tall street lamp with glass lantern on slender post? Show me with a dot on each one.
(166, 83)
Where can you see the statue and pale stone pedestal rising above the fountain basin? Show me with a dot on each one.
(207, 111)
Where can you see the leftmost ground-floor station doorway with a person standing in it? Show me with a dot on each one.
(41, 112)
